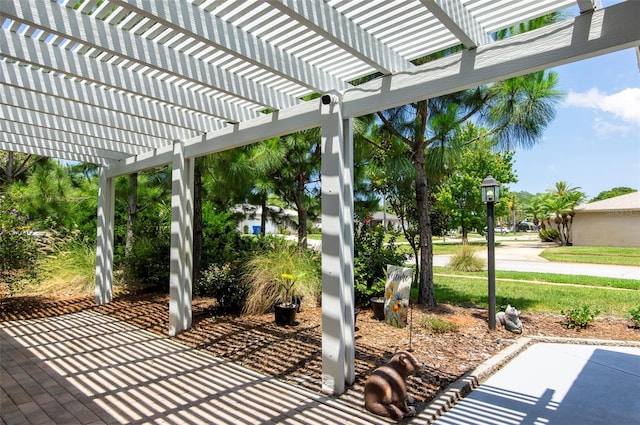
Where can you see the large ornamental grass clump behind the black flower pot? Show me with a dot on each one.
(263, 275)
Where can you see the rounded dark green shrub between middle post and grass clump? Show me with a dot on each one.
(224, 284)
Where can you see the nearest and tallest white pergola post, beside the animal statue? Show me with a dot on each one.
(337, 256)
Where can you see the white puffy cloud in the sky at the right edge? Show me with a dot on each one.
(624, 104)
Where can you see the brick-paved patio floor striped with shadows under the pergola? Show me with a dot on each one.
(88, 368)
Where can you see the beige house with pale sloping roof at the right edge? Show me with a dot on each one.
(611, 222)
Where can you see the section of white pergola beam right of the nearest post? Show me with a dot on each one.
(604, 31)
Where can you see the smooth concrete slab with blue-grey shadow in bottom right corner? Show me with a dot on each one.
(552, 383)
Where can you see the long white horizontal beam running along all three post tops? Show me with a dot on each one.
(604, 31)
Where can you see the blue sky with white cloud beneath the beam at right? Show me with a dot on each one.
(594, 141)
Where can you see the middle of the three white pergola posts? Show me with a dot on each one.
(181, 257)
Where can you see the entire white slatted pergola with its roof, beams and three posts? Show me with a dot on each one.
(133, 84)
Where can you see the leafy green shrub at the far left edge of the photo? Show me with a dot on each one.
(18, 247)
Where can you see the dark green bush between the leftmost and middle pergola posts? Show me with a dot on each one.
(146, 267)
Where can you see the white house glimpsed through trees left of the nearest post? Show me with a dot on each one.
(278, 219)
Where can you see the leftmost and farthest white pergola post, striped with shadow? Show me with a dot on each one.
(104, 246)
